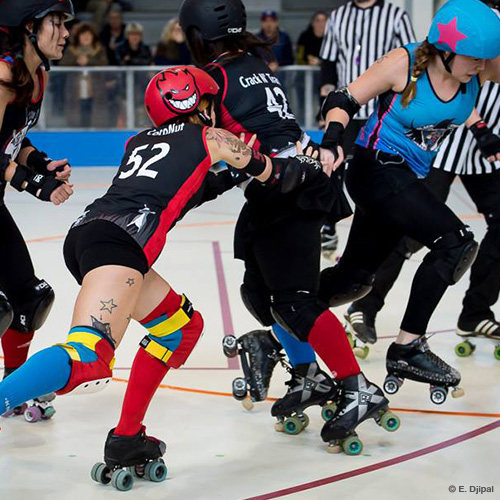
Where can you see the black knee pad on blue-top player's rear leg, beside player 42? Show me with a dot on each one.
(338, 286)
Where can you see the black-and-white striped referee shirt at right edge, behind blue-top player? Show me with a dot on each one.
(460, 153)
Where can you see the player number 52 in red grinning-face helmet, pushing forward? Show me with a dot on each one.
(110, 250)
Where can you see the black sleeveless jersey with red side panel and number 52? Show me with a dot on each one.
(160, 179)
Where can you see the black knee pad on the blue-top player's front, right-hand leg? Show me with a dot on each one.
(452, 254)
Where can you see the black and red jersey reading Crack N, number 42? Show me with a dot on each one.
(253, 101)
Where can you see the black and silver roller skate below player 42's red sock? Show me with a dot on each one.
(358, 400)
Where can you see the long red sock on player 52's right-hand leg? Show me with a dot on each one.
(145, 377)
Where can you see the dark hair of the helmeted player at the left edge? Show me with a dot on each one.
(12, 42)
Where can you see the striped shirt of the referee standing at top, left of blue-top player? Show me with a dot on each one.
(355, 38)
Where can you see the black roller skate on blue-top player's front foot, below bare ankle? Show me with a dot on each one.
(416, 361)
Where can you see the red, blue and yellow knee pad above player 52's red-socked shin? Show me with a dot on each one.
(172, 339)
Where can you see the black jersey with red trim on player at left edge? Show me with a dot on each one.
(17, 121)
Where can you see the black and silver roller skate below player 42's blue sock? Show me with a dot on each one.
(308, 386)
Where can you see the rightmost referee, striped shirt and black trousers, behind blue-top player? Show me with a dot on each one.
(471, 154)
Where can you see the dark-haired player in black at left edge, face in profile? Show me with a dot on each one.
(31, 34)
